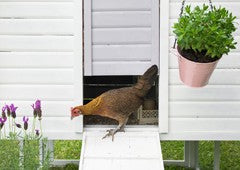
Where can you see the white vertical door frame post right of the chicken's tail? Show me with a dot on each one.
(164, 61)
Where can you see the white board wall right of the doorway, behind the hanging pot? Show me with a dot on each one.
(212, 112)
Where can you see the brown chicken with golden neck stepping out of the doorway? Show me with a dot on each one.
(120, 103)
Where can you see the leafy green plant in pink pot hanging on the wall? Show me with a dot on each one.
(204, 35)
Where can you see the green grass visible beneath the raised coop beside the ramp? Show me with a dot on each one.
(174, 150)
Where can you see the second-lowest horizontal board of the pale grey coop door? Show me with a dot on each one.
(122, 52)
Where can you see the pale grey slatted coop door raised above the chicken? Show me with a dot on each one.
(121, 37)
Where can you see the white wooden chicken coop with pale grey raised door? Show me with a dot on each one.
(66, 52)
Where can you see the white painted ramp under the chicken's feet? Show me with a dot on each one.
(129, 151)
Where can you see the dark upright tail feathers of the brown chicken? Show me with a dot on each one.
(146, 81)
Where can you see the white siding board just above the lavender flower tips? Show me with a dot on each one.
(31, 92)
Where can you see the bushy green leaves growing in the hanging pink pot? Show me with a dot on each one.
(201, 29)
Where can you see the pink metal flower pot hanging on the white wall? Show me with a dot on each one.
(195, 74)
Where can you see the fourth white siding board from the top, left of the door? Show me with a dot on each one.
(36, 60)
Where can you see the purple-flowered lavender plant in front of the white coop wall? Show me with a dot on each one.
(19, 147)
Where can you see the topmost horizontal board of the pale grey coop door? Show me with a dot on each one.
(121, 5)
